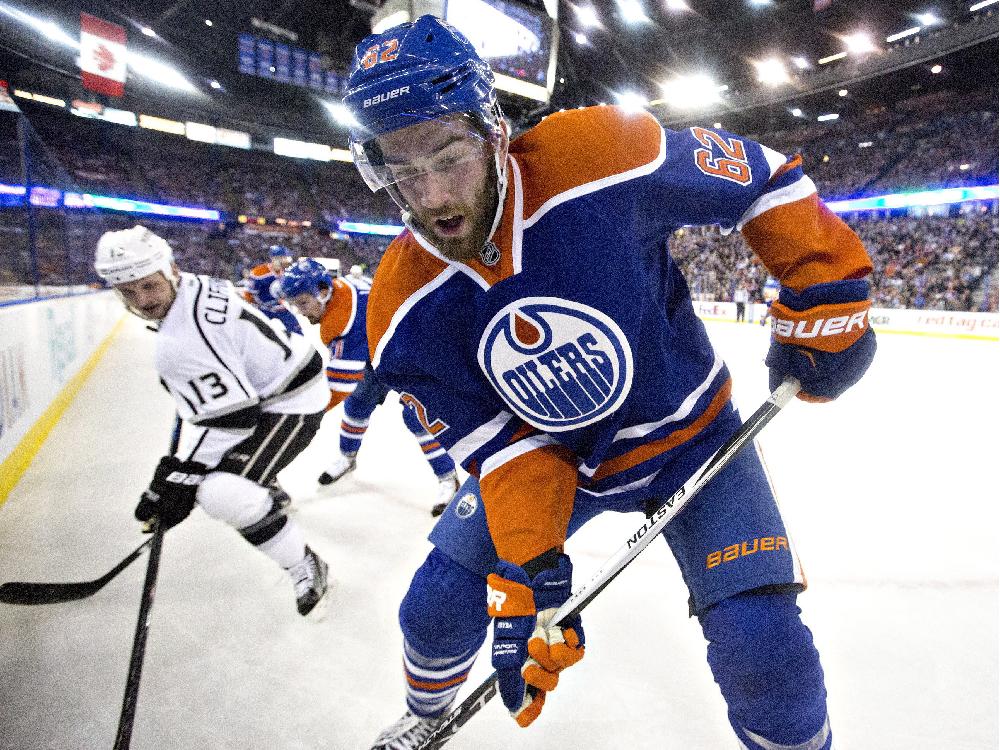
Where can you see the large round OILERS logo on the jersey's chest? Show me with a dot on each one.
(560, 365)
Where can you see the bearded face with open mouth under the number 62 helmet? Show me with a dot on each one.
(445, 174)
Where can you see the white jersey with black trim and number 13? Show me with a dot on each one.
(224, 362)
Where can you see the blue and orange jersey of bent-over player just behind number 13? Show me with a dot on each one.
(343, 331)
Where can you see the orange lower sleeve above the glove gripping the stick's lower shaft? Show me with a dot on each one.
(529, 501)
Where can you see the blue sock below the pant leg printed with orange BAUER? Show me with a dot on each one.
(764, 661)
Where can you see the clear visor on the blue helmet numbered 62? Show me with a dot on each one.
(441, 146)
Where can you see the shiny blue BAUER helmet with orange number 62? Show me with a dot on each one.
(412, 73)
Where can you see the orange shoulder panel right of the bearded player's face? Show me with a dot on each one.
(569, 149)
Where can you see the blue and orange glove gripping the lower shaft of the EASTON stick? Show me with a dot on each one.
(529, 650)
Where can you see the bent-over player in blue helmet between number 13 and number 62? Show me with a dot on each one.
(339, 307)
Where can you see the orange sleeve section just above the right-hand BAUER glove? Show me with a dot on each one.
(804, 243)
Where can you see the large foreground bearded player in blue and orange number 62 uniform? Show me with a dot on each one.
(566, 393)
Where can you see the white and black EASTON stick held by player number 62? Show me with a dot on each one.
(635, 544)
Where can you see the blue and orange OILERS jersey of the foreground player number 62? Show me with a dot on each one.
(575, 366)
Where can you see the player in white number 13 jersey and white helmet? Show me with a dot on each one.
(251, 396)
